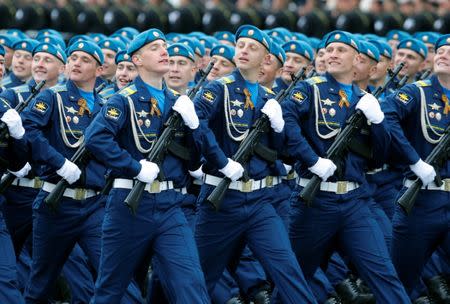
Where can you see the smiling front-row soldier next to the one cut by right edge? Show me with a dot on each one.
(315, 112)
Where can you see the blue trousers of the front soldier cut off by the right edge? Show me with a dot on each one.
(418, 235)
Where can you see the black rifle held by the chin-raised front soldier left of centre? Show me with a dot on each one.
(161, 145)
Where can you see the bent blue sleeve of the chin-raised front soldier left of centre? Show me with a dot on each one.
(101, 134)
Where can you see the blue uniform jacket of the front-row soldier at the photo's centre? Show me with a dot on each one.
(212, 138)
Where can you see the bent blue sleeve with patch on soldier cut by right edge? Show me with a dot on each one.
(397, 108)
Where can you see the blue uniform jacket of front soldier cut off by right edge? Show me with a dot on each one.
(403, 110)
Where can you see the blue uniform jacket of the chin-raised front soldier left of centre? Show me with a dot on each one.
(110, 136)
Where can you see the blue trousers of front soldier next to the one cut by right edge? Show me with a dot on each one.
(346, 224)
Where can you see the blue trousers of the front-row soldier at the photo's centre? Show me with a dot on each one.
(249, 219)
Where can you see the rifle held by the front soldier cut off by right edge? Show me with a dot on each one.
(436, 157)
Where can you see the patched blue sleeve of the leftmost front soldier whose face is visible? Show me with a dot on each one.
(35, 121)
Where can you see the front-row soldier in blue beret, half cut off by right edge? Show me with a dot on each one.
(419, 114)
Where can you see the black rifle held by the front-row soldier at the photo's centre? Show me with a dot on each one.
(251, 143)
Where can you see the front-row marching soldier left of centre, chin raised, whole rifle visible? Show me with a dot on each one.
(128, 124)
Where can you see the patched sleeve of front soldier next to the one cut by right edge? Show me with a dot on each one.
(295, 108)
